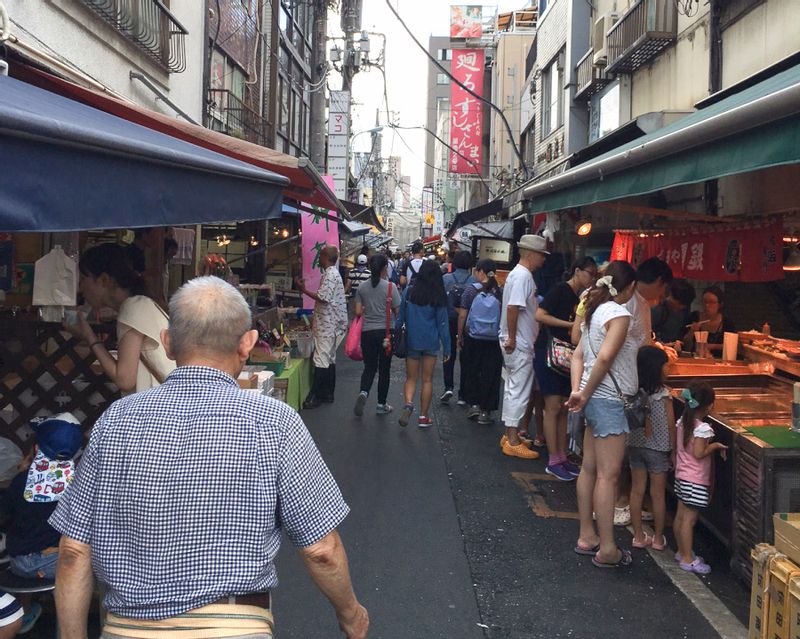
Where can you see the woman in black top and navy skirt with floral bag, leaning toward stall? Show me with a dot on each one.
(557, 313)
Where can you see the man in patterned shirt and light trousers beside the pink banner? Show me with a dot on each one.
(329, 328)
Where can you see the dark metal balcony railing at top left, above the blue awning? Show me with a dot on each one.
(150, 26)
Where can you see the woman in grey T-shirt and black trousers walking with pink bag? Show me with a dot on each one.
(377, 301)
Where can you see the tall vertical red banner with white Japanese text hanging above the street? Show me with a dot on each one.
(466, 111)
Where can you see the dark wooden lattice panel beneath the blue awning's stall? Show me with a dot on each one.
(45, 371)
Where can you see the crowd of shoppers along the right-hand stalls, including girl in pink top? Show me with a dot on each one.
(508, 335)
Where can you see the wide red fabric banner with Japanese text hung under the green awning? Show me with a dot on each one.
(728, 254)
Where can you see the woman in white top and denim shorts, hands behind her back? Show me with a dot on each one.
(603, 373)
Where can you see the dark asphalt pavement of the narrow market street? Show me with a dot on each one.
(443, 541)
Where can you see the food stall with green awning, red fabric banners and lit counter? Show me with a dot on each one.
(714, 194)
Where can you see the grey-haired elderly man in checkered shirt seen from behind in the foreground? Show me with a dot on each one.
(182, 494)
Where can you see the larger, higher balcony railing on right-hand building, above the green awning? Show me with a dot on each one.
(649, 27)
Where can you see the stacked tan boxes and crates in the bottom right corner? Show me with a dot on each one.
(775, 594)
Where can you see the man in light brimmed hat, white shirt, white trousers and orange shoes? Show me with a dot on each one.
(518, 332)
